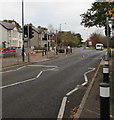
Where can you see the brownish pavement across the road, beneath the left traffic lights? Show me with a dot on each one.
(12, 62)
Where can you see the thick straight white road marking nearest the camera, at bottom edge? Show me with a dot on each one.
(62, 109)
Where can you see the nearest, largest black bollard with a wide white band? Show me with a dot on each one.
(104, 101)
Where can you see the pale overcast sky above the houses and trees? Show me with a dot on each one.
(46, 12)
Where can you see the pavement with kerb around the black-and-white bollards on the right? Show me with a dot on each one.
(89, 108)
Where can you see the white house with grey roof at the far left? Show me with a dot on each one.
(10, 35)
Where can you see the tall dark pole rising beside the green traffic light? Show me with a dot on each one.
(23, 58)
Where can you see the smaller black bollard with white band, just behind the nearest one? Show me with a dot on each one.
(106, 74)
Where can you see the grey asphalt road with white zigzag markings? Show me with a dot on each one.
(37, 90)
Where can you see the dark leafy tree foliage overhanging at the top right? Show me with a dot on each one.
(96, 16)
